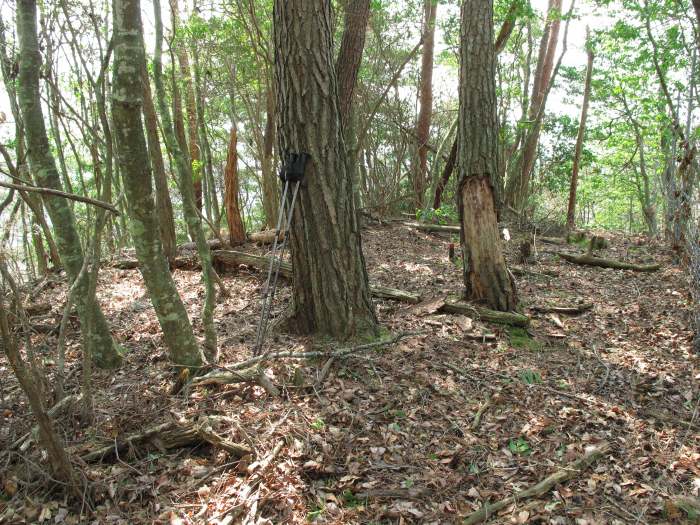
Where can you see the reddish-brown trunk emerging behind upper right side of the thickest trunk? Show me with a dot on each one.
(350, 56)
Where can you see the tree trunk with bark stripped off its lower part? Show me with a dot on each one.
(486, 276)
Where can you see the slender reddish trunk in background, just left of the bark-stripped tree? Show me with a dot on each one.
(420, 169)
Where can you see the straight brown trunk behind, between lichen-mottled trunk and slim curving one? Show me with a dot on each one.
(164, 206)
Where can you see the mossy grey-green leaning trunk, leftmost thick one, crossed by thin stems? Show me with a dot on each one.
(104, 351)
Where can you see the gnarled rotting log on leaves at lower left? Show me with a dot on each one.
(170, 435)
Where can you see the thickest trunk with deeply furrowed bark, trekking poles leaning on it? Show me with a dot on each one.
(331, 292)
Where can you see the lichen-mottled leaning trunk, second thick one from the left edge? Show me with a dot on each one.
(127, 93)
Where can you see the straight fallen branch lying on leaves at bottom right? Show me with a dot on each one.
(566, 473)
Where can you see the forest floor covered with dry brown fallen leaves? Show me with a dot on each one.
(390, 435)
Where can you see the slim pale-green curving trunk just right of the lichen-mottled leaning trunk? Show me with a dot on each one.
(189, 204)
